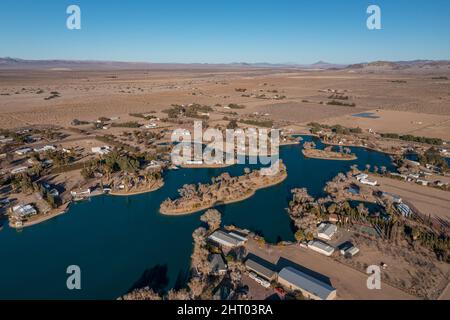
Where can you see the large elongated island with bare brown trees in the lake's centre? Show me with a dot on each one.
(223, 190)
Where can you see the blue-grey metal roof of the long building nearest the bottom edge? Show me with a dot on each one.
(306, 282)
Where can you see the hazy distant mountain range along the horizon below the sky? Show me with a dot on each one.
(22, 64)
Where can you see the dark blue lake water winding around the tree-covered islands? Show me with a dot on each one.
(123, 242)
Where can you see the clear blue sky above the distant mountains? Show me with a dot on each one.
(224, 31)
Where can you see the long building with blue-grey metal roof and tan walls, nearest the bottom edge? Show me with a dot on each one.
(310, 287)
